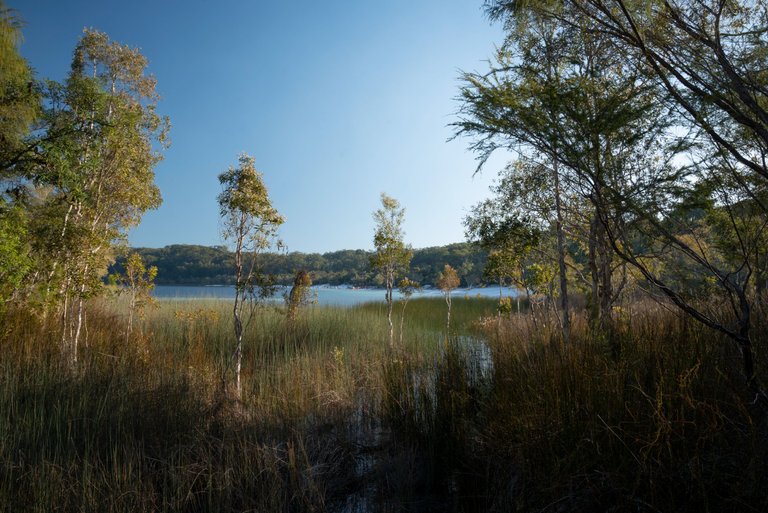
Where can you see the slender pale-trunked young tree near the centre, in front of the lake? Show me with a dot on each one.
(391, 255)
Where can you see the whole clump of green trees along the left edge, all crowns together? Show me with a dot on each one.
(82, 179)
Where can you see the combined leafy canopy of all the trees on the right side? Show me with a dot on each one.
(629, 98)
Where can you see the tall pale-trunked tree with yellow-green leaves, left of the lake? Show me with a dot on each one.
(95, 172)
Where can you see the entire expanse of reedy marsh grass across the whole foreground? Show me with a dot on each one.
(331, 419)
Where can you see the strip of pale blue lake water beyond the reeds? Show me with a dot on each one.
(326, 295)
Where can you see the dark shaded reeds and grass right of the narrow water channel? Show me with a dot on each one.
(666, 426)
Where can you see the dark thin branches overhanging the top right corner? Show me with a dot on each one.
(708, 55)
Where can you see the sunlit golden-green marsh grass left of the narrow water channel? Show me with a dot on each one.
(143, 425)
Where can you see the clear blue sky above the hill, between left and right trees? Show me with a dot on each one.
(337, 101)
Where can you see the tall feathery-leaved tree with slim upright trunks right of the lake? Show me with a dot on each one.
(561, 97)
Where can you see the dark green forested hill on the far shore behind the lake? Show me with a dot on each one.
(205, 265)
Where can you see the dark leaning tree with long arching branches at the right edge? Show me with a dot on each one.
(708, 58)
